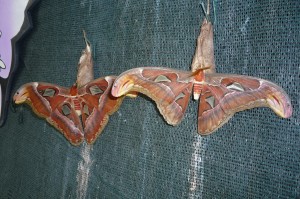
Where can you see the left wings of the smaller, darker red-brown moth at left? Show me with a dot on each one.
(54, 104)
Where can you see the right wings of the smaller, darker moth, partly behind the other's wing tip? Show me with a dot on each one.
(97, 105)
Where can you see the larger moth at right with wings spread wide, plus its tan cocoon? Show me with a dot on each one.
(219, 95)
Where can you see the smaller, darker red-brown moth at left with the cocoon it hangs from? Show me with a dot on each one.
(62, 107)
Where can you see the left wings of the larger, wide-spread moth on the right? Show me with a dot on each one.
(170, 89)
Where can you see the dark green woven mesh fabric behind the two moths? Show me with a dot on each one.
(255, 155)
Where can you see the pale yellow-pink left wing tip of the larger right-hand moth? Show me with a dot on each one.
(122, 86)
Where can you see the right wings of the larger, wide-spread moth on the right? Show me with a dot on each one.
(223, 95)
